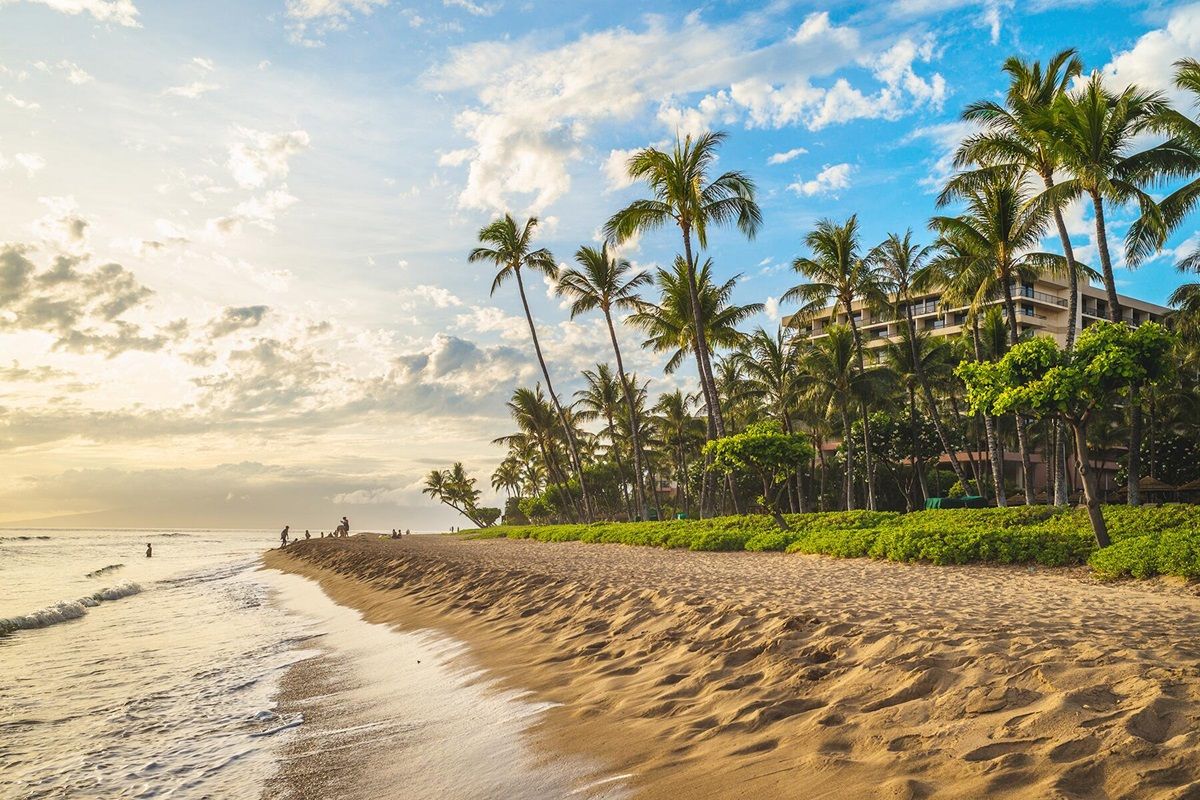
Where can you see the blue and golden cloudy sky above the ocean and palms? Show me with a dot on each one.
(233, 234)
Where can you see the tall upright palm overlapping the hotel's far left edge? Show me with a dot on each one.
(837, 270)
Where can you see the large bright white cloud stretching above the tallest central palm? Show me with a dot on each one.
(537, 107)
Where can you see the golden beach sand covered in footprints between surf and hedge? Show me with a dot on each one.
(771, 676)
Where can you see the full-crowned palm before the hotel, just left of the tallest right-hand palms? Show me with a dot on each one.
(998, 234)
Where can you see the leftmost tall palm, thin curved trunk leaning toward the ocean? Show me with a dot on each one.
(511, 250)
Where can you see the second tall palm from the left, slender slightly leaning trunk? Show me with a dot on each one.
(605, 282)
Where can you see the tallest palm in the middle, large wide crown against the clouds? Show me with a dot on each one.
(683, 195)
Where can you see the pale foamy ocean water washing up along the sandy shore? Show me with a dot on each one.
(127, 677)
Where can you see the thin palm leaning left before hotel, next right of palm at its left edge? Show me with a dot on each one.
(903, 264)
